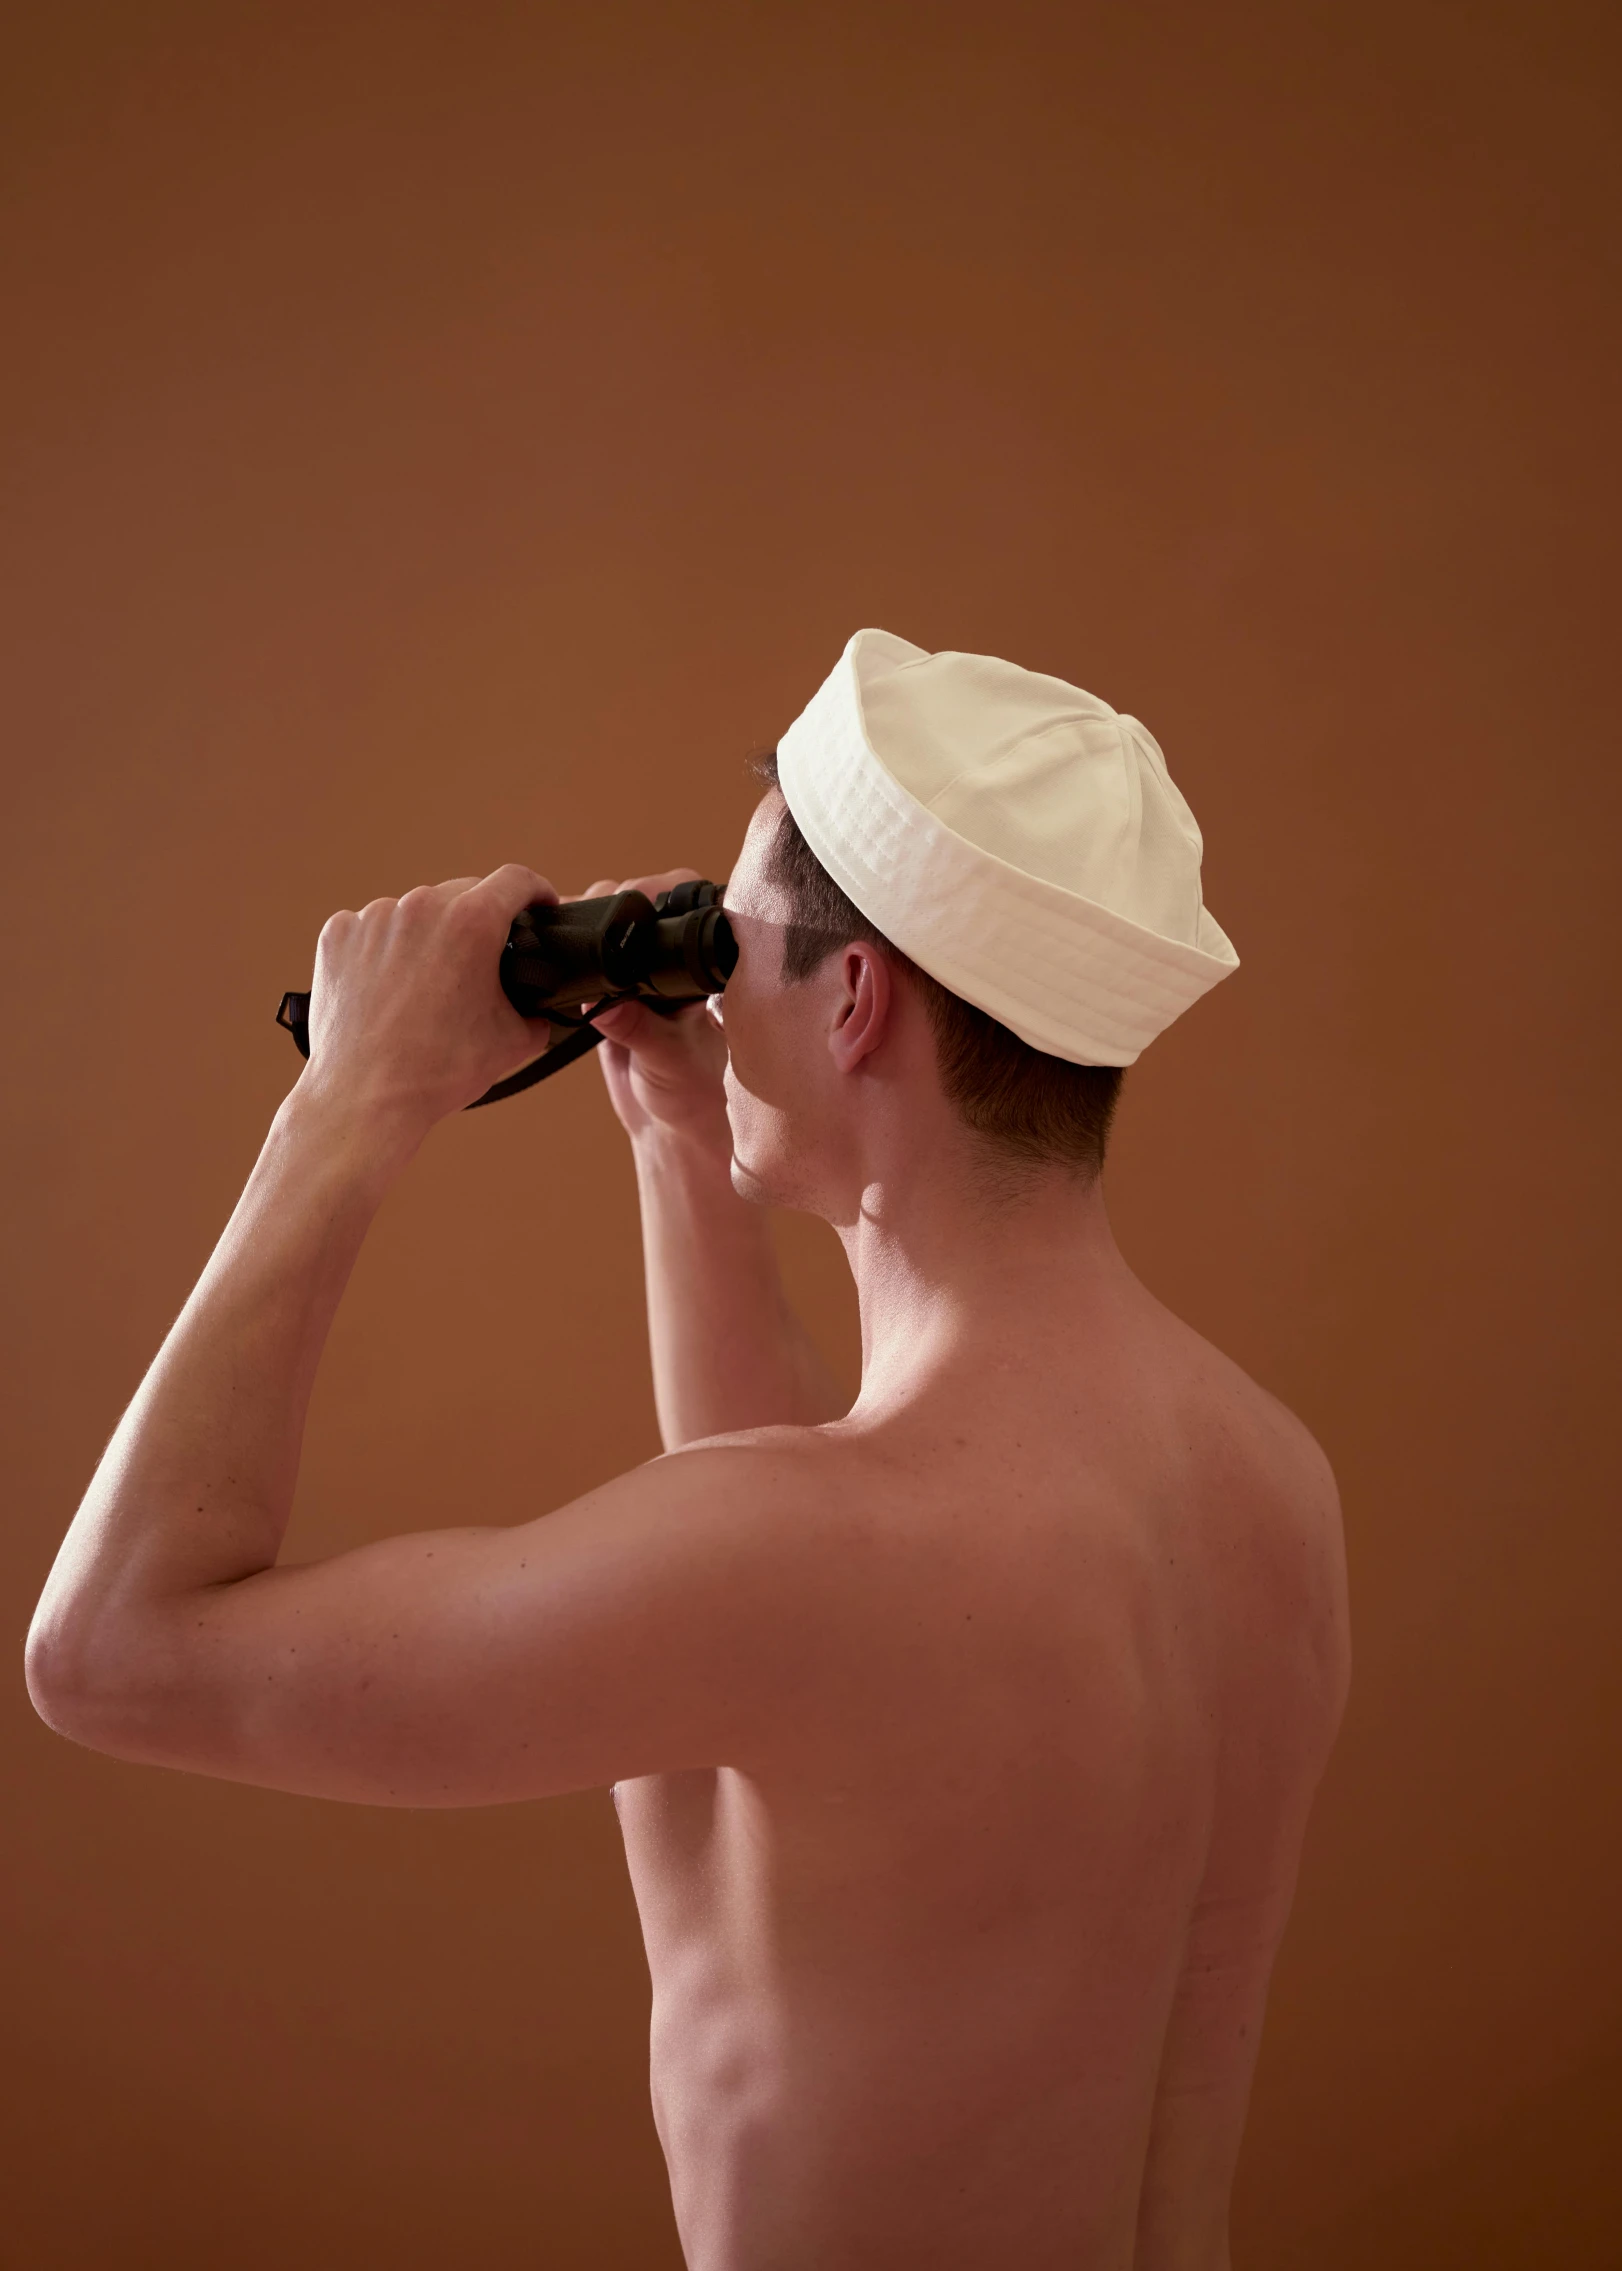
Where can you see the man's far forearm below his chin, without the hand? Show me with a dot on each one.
(728, 1350)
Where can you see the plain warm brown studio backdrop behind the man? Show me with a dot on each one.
(449, 435)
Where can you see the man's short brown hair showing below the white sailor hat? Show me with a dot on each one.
(1023, 1103)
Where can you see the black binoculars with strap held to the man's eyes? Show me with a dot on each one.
(569, 964)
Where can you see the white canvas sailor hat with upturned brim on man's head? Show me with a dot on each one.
(1019, 839)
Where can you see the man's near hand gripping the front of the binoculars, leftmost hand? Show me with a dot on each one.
(408, 1014)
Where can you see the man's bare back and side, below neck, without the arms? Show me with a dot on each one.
(971, 1970)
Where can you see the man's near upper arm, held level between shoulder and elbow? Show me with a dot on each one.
(626, 1634)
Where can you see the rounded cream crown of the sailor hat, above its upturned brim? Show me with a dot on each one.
(1039, 773)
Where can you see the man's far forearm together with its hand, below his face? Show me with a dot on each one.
(728, 1350)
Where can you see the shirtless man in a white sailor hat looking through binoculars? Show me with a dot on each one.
(962, 1741)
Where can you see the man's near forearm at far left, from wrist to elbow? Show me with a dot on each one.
(197, 1484)
